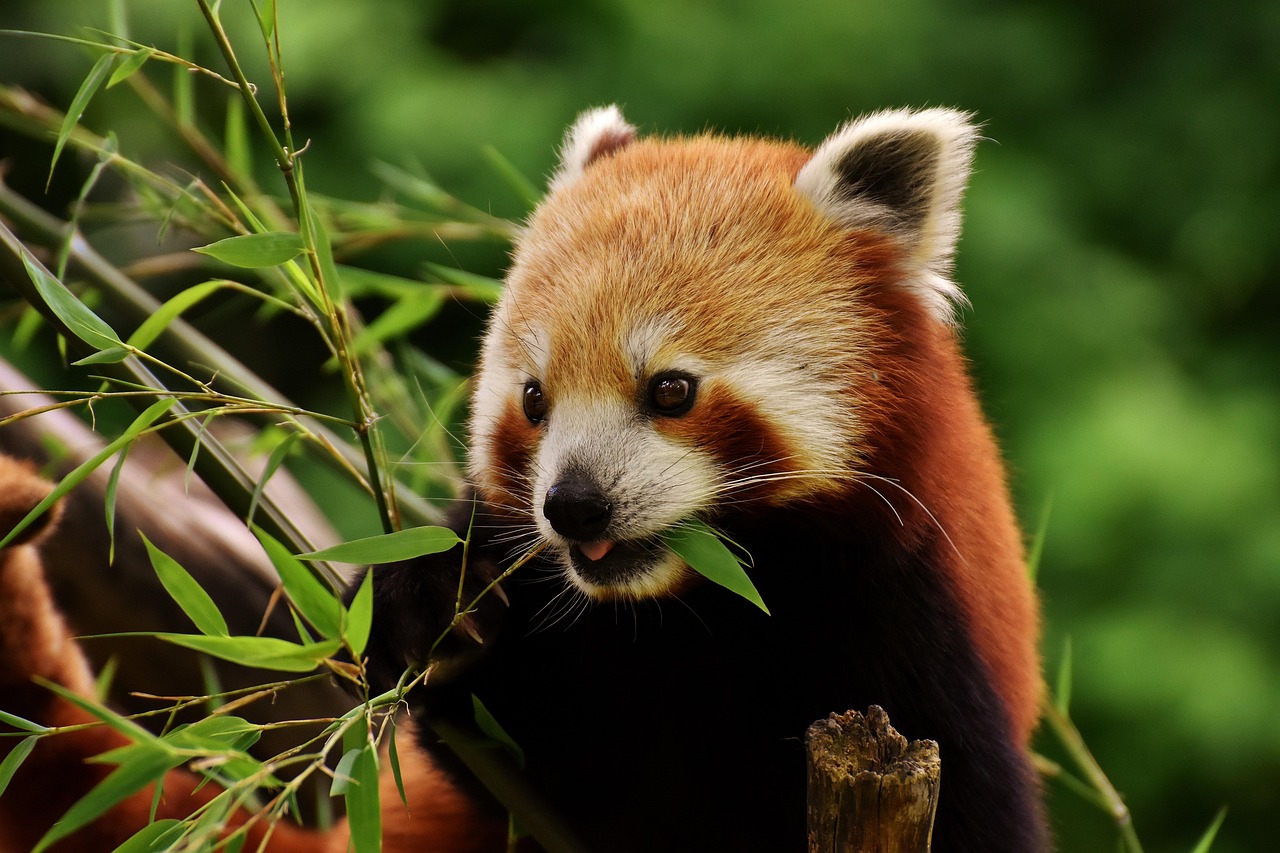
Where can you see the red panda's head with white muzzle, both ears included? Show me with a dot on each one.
(684, 330)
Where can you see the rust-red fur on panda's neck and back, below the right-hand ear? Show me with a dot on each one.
(927, 430)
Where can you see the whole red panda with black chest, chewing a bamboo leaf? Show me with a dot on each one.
(756, 336)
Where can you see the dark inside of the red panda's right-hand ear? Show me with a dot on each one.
(894, 171)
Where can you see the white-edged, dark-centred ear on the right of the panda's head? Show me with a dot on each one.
(900, 172)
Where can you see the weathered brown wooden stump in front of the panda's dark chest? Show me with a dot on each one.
(870, 791)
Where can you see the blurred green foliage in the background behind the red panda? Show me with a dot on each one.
(1121, 253)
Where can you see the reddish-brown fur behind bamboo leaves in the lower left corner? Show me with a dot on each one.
(35, 642)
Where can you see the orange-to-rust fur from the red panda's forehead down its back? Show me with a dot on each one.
(761, 261)
